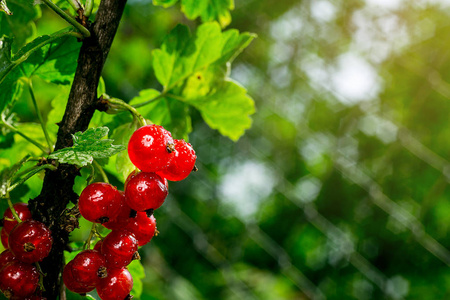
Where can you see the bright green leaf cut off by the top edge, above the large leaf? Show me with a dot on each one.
(208, 10)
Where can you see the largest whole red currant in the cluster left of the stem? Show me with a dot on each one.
(30, 241)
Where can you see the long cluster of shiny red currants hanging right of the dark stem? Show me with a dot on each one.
(128, 214)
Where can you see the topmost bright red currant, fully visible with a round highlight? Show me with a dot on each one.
(150, 148)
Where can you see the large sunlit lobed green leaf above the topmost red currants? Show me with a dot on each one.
(194, 70)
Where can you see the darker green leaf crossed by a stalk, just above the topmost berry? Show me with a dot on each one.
(168, 112)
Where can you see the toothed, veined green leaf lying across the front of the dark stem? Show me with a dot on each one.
(87, 146)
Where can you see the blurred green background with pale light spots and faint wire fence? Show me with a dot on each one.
(340, 190)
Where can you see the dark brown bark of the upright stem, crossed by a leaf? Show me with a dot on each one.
(57, 189)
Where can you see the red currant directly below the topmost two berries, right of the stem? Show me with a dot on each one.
(146, 191)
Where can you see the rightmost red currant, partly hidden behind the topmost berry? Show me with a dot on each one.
(182, 163)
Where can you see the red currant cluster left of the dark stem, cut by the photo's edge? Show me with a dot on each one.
(26, 242)
